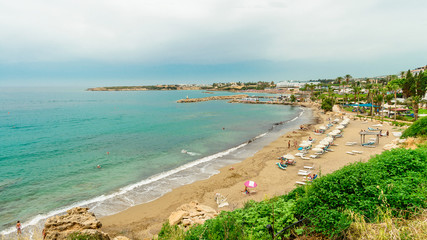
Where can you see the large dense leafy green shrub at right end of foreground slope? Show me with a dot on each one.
(394, 180)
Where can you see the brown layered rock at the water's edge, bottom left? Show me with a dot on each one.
(77, 221)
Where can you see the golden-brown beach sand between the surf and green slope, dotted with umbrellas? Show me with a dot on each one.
(145, 220)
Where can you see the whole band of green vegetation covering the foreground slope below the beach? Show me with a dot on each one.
(389, 186)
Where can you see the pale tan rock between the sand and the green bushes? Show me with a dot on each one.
(192, 213)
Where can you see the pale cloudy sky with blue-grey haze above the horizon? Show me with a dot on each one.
(141, 42)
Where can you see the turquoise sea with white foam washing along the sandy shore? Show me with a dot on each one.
(61, 148)
